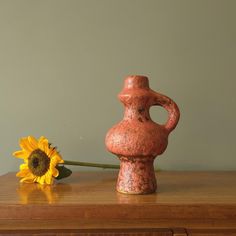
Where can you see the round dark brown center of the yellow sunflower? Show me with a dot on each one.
(38, 162)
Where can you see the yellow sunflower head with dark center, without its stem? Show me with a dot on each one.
(40, 160)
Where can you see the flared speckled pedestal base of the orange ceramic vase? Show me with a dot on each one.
(136, 175)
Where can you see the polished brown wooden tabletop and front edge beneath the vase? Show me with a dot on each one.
(186, 203)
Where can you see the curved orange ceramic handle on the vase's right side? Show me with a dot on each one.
(170, 106)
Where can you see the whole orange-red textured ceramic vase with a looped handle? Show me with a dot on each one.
(137, 140)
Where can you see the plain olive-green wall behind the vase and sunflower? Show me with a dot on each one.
(63, 62)
